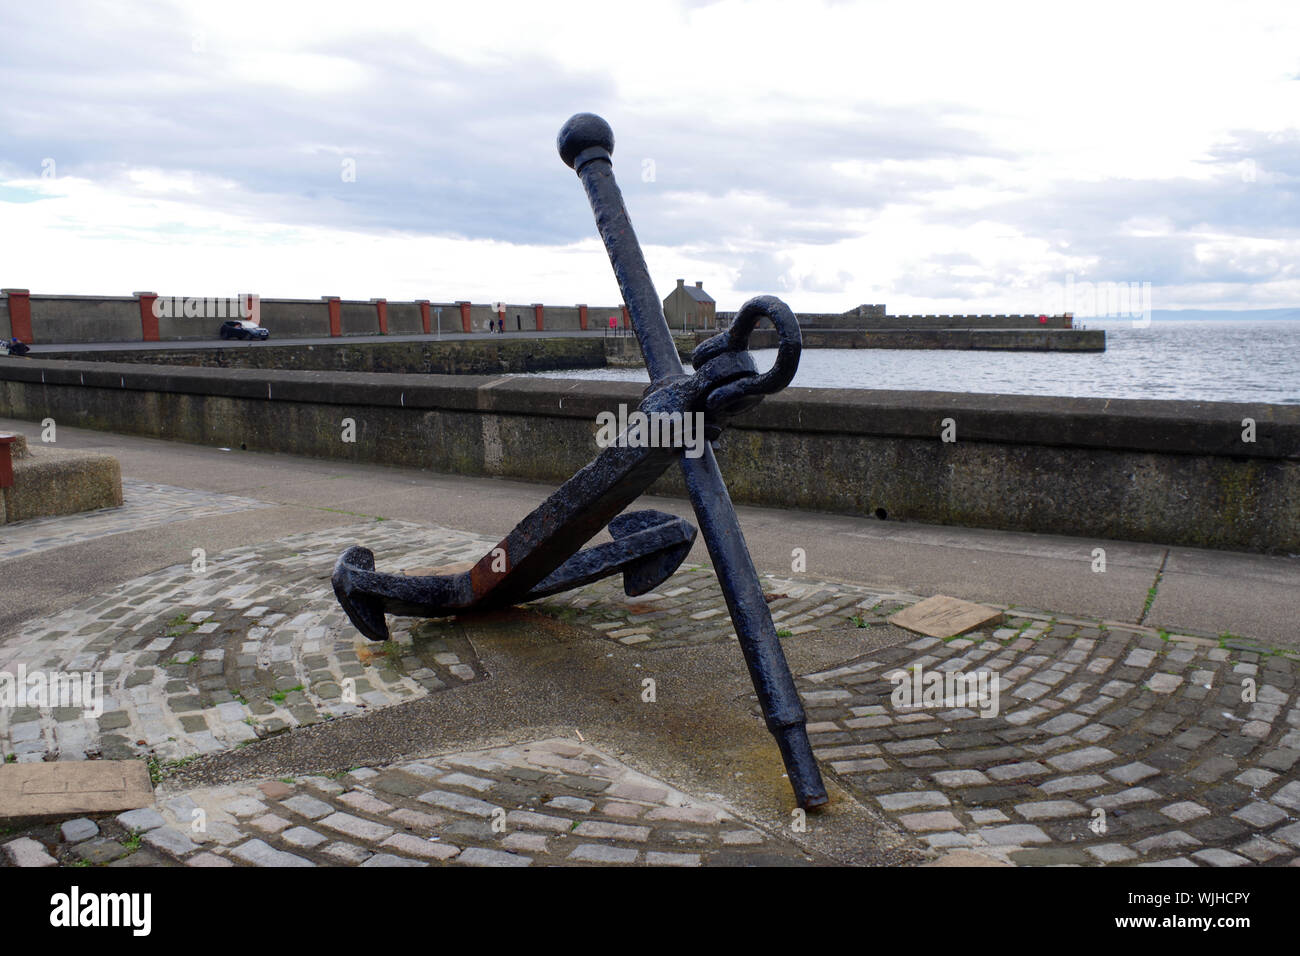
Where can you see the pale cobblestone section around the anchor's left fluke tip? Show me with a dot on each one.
(253, 647)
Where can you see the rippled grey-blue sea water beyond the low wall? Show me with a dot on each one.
(1204, 361)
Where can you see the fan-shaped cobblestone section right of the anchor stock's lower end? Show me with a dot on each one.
(1111, 746)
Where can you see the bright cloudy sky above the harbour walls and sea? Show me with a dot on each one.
(934, 158)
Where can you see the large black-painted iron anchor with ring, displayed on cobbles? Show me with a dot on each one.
(545, 553)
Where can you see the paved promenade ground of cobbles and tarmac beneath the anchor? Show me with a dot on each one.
(1149, 712)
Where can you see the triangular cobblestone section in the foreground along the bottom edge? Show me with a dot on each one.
(548, 803)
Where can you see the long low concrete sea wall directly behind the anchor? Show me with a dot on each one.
(1171, 473)
